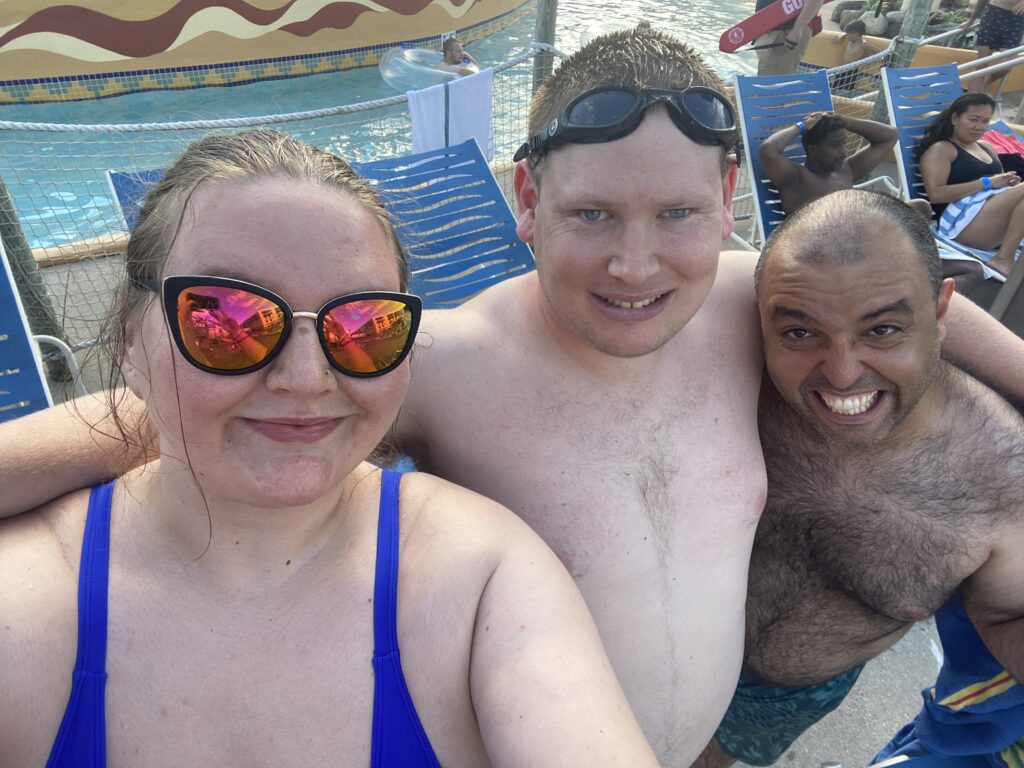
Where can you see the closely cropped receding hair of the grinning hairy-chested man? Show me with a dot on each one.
(832, 231)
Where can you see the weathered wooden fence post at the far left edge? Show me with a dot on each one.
(29, 282)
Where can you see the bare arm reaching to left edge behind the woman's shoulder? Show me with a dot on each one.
(65, 448)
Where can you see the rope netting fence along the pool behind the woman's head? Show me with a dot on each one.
(66, 235)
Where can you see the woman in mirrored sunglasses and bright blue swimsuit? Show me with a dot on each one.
(242, 601)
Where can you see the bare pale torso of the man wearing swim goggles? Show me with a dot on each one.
(649, 487)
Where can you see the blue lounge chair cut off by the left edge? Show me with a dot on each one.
(23, 385)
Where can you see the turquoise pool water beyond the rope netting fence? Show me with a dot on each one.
(47, 175)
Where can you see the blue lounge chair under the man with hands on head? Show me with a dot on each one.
(766, 105)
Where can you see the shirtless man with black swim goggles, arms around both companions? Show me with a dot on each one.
(610, 398)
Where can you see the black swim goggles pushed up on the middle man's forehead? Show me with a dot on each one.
(613, 112)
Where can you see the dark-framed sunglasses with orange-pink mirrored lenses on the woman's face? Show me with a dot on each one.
(227, 326)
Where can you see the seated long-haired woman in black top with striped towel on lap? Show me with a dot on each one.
(976, 203)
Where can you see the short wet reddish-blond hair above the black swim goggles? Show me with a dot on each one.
(641, 58)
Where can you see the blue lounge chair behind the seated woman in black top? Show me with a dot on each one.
(915, 98)
